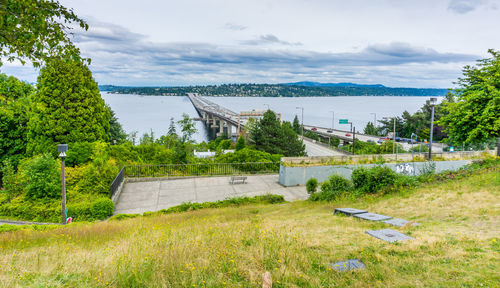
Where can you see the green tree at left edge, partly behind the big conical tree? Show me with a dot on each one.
(14, 115)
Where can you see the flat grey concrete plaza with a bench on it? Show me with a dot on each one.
(139, 197)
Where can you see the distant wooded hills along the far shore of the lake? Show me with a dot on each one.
(298, 89)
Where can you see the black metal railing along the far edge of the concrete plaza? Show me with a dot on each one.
(214, 169)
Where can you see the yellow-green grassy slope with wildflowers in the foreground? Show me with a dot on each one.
(456, 245)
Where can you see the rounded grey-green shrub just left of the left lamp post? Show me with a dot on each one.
(43, 178)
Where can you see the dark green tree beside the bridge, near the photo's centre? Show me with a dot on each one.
(271, 136)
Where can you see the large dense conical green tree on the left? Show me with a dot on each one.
(67, 108)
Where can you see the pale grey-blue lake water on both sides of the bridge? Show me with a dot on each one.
(146, 113)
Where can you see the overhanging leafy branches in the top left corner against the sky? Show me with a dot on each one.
(36, 30)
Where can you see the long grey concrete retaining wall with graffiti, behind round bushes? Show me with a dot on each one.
(292, 176)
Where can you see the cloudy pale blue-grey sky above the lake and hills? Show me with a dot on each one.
(399, 43)
